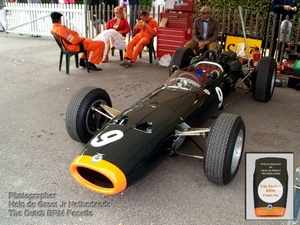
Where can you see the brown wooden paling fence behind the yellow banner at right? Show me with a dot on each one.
(259, 26)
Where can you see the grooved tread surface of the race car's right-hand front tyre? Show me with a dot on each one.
(217, 143)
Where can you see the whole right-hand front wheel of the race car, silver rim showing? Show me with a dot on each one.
(224, 148)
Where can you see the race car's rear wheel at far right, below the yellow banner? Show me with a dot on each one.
(264, 79)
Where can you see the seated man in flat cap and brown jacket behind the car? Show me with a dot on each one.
(205, 32)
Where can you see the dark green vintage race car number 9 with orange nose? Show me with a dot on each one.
(124, 146)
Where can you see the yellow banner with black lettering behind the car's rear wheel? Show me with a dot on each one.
(236, 43)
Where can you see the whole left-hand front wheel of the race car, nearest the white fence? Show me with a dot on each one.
(82, 121)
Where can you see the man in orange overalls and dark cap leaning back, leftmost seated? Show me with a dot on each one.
(94, 48)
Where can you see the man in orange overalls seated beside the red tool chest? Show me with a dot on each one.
(144, 30)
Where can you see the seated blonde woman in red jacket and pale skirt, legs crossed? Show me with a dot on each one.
(115, 32)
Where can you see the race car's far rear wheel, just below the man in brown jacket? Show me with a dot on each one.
(180, 59)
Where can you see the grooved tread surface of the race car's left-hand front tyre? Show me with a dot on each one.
(72, 111)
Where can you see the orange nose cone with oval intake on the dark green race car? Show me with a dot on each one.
(100, 176)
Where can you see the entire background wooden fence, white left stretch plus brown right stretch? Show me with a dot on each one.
(34, 19)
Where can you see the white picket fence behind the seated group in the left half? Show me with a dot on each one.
(34, 19)
